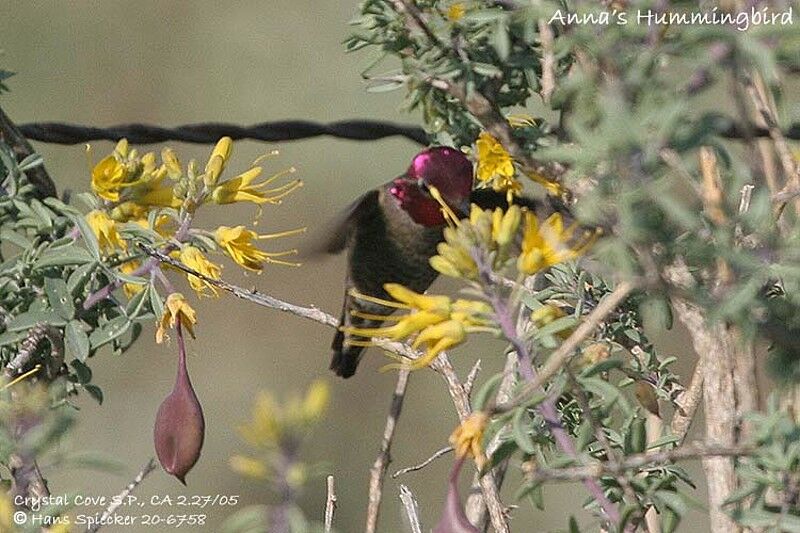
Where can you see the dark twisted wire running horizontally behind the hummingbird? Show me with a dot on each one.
(288, 130)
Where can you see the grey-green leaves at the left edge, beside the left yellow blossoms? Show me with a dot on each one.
(47, 271)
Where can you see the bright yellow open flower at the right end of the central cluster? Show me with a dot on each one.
(547, 245)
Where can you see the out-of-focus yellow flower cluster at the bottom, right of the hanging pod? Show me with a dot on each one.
(272, 425)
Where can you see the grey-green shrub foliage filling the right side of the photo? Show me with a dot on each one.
(651, 162)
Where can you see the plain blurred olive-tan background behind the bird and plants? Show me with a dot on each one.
(167, 63)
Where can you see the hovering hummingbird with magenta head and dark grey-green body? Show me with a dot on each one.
(391, 232)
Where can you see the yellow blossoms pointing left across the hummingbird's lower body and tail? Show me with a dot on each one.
(437, 321)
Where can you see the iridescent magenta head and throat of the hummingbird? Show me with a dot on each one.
(442, 167)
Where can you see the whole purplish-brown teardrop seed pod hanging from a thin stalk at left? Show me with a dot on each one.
(179, 427)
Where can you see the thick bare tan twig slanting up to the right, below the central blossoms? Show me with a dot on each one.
(559, 357)
